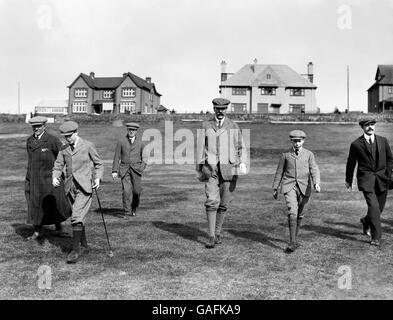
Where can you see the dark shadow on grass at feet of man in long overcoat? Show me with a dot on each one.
(64, 242)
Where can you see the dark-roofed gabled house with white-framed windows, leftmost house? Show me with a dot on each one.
(127, 94)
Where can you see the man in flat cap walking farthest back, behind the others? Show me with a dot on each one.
(129, 164)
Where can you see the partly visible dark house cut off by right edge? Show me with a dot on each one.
(380, 94)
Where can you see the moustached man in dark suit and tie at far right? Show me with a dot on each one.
(373, 157)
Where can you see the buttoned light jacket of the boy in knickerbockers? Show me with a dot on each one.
(295, 169)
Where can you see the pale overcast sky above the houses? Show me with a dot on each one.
(180, 44)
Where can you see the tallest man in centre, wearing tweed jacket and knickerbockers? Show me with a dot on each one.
(221, 157)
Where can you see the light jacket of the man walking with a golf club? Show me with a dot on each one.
(82, 164)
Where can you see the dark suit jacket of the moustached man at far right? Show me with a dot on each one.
(366, 175)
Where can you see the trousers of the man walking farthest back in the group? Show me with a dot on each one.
(132, 187)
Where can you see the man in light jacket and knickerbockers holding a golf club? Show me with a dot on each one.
(83, 173)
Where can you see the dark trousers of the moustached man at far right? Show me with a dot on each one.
(375, 202)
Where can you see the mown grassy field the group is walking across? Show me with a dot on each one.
(160, 253)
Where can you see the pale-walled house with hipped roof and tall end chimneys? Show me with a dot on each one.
(268, 88)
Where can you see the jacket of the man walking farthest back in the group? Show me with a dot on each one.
(129, 155)
